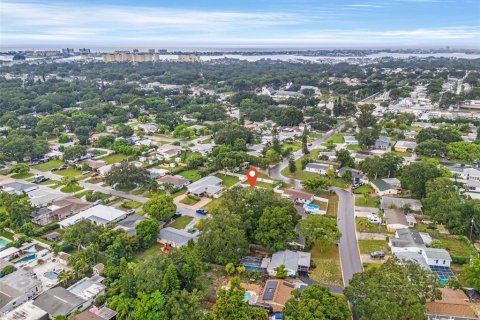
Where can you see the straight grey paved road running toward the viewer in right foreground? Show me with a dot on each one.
(349, 255)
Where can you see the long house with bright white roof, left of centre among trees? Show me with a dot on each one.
(100, 215)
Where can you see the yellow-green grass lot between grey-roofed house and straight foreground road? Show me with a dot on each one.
(327, 262)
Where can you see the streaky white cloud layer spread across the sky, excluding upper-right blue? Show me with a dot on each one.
(36, 22)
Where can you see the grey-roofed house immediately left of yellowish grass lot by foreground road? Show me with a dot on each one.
(294, 261)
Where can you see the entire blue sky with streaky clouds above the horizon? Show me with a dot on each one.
(246, 23)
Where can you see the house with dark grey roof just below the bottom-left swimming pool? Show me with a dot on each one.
(59, 301)
